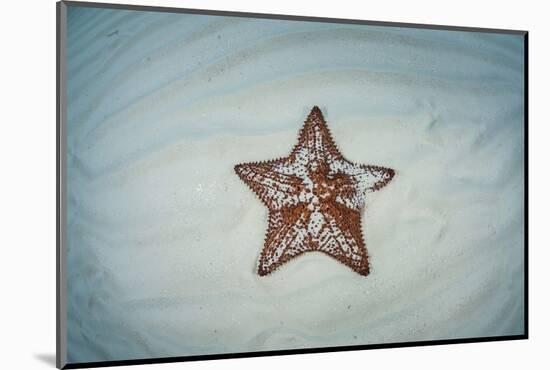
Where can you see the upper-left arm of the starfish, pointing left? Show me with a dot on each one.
(269, 181)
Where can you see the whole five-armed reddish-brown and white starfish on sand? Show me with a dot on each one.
(314, 197)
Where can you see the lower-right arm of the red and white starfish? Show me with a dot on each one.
(342, 239)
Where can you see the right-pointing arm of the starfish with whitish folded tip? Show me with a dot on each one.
(360, 179)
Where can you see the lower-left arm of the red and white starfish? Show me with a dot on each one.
(285, 238)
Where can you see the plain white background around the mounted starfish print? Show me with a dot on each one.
(28, 182)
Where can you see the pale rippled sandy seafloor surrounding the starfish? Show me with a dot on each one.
(163, 237)
